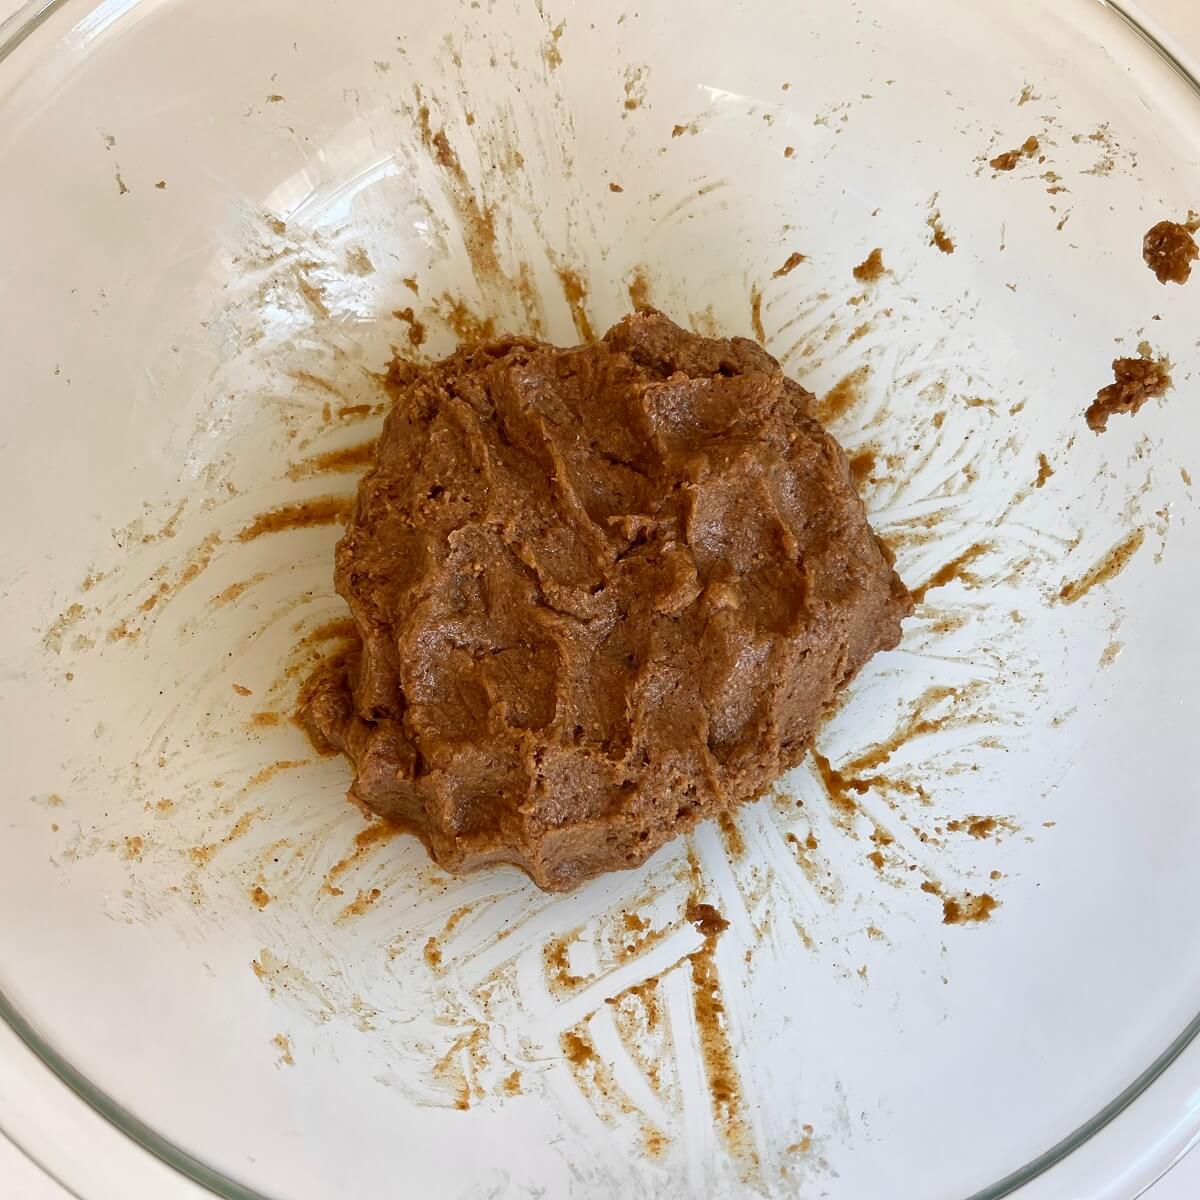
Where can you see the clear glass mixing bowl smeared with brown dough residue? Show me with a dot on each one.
(963, 945)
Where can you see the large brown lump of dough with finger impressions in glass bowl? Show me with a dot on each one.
(603, 593)
